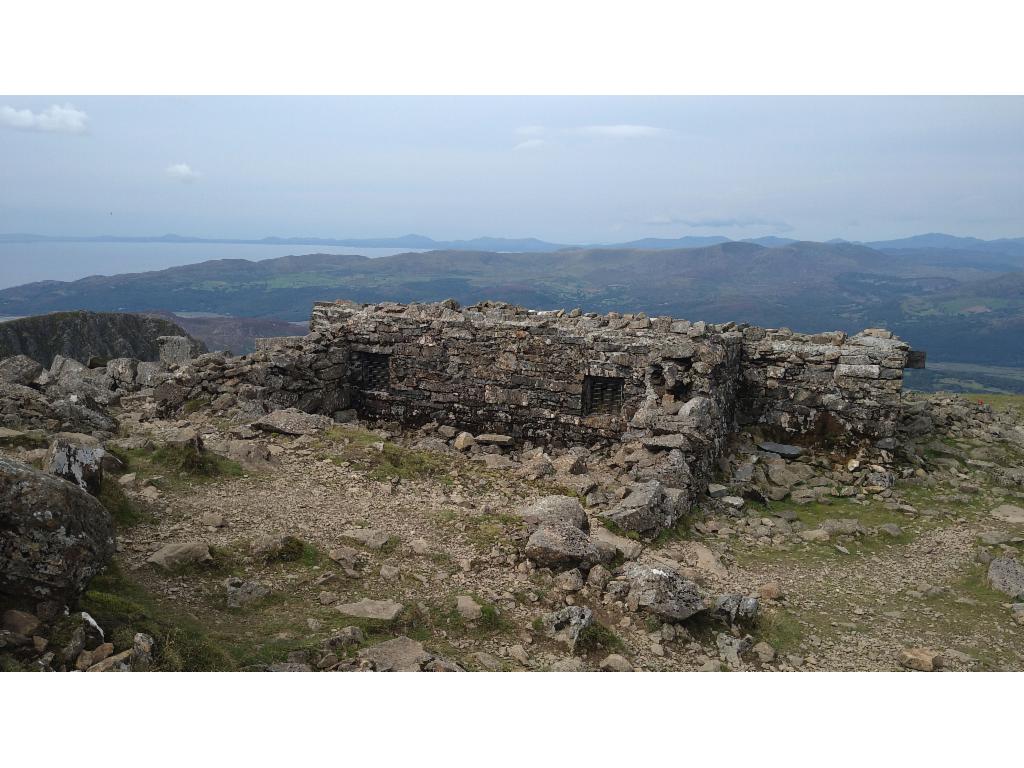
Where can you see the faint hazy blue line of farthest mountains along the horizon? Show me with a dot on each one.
(533, 245)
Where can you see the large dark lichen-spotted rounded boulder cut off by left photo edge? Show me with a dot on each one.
(54, 536)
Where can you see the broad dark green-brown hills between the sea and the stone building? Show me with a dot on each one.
(962, 302)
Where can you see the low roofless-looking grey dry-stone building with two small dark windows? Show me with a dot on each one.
(676, 389)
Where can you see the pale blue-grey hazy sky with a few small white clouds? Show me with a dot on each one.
(570, 170)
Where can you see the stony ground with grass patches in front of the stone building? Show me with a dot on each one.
(302, 544)
